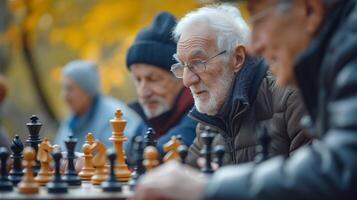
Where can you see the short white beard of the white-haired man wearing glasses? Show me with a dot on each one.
(216, 98)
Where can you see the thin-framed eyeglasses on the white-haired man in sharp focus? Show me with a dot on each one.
(195, 66)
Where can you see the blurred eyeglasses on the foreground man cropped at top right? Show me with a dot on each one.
(279, 6)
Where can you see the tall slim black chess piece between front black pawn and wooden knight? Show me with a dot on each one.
(70, 175)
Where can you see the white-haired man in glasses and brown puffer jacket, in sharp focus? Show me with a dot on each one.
(233, 92)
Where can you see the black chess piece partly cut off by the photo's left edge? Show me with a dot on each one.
(5, 183)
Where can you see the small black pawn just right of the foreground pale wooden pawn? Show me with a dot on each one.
(57, 185)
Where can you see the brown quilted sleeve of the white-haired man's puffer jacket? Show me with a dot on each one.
(295, 110)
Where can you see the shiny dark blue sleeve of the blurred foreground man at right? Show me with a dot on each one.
(325, 170)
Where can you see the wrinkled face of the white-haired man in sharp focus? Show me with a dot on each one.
(210, 87)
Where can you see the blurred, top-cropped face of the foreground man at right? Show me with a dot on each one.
(281, 30)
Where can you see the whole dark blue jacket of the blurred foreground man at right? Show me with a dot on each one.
(326, 72)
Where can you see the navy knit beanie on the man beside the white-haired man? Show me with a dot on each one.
(154, 44)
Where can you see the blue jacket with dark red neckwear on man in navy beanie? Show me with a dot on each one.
(171, 123)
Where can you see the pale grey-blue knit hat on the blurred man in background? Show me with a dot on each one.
(85, 74)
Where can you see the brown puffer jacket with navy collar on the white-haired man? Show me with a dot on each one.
(255, 100)
